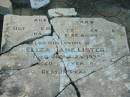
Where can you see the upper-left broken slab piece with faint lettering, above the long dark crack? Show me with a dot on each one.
(23, 29)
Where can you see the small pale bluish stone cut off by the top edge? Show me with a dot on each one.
(36, 4)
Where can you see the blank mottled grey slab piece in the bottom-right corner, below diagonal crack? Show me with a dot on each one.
(112, 81)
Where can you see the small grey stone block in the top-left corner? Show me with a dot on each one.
(5, 7)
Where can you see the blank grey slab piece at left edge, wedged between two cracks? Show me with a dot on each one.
(18, 58)
